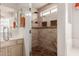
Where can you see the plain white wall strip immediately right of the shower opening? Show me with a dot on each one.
(61, 40)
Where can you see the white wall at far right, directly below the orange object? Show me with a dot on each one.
(75, 23)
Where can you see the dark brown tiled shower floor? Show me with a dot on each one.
(39, 51)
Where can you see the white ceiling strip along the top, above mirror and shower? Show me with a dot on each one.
(23, 5)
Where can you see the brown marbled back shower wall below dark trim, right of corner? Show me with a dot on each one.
(48, 38)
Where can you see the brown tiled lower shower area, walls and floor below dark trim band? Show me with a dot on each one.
(45, 39)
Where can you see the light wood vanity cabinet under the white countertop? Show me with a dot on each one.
(12, 48)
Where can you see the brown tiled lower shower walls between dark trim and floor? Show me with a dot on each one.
(45, 37)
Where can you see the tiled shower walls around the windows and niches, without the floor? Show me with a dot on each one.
(45, 37)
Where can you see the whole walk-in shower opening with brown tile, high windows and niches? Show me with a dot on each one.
(44, 31)
